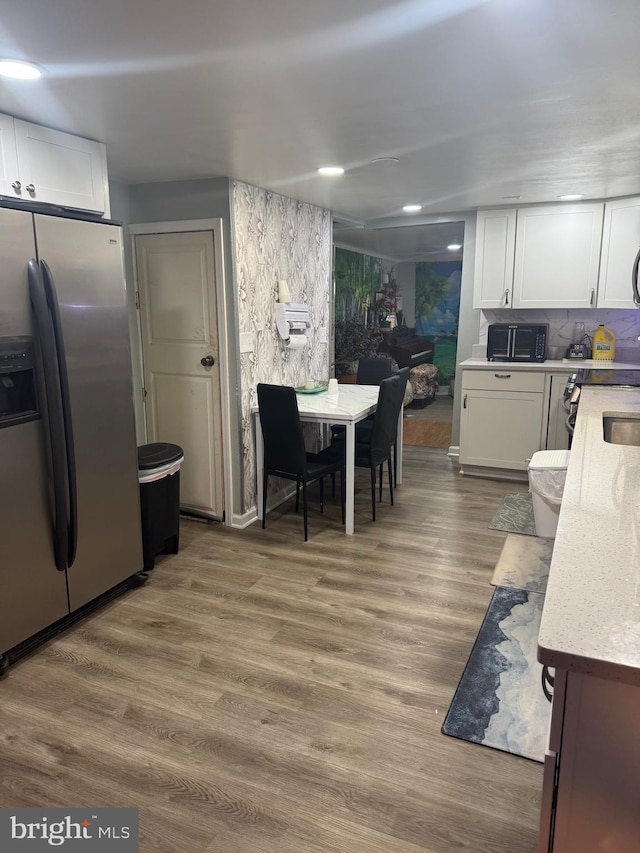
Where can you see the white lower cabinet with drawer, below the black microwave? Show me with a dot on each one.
(502, 418)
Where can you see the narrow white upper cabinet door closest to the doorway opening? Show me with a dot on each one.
(495, 246)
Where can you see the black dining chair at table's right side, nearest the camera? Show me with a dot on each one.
(374, 446)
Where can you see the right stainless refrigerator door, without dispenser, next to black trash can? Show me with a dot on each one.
(85, 259)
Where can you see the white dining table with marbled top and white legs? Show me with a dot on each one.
(351, 404)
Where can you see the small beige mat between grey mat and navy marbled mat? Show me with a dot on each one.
(524, 563)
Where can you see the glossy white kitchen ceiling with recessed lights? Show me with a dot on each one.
(479, 99)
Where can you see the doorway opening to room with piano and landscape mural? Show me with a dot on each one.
(418, 272)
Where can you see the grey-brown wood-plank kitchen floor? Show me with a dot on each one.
(265, 695)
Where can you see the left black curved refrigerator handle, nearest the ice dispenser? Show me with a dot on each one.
(53, 413)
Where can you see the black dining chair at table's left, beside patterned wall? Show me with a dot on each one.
(285, 454)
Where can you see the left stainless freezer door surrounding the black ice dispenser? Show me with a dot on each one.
(33, 594)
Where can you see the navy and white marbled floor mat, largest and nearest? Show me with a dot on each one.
(499, 701)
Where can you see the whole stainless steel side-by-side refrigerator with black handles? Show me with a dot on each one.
(69, 496)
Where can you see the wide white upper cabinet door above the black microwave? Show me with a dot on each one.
(557, 256)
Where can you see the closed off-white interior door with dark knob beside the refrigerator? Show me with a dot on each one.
(176, 282)
